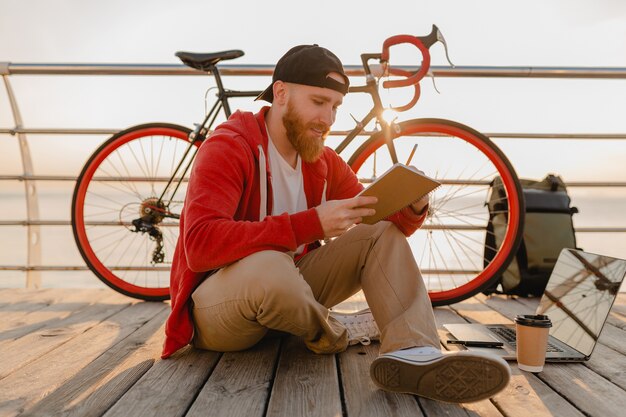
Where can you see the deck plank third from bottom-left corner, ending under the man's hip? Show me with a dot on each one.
(169, 387)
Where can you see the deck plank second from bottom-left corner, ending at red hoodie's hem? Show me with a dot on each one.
(100, 384)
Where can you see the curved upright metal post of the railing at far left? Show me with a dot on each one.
(33, 278)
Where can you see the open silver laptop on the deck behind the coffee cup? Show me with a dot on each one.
(578, 298)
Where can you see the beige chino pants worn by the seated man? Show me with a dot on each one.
(234, 308)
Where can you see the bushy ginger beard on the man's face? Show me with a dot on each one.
(308, 146)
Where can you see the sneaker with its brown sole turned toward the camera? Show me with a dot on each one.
(455, 377)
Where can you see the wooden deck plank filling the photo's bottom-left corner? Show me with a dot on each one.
(42, 377)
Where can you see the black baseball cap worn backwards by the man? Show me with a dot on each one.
(308, 65)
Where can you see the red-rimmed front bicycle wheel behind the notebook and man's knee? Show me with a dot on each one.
(450, 143)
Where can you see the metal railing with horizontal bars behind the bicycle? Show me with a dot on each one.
(33, 221)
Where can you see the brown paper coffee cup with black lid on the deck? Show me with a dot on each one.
(532, 341)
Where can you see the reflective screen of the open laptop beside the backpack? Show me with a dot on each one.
(579, 296)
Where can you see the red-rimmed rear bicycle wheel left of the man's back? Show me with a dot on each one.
(115, 186)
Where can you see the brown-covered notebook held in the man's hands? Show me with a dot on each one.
(398, 187)
